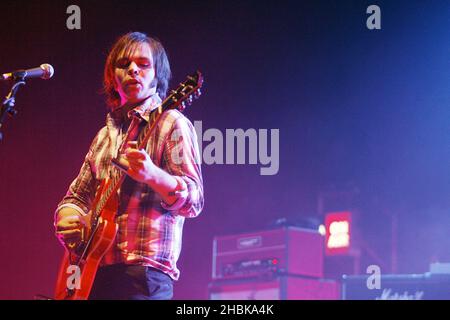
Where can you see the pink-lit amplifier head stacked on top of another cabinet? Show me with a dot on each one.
(287, 250)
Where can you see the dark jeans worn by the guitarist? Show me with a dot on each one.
(131, 282)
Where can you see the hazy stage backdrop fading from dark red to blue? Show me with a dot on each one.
(355, 109)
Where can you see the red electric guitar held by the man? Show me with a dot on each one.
(81, 260)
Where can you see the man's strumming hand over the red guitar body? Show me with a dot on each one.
(69, 224)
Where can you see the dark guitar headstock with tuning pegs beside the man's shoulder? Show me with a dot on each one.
(184, 95)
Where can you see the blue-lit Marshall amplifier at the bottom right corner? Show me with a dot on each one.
(398, 287)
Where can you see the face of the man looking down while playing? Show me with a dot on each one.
(134, 74)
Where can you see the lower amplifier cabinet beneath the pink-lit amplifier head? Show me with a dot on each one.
(274, 288)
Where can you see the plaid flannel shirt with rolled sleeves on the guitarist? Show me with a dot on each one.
(150, 232)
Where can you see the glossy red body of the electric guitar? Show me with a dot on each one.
(75, 282)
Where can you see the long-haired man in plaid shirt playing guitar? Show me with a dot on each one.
(158, 193)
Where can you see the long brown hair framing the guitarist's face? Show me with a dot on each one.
(124, 43)
